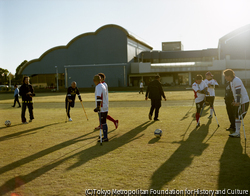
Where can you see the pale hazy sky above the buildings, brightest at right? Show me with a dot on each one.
(28, 28)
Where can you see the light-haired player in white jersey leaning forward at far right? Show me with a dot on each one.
(241, 99)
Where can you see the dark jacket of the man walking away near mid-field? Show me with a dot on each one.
(155, 91)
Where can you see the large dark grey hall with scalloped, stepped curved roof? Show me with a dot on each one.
(109, 50)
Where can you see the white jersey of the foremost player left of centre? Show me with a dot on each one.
(101, 91)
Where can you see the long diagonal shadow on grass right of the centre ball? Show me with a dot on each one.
(181, 158)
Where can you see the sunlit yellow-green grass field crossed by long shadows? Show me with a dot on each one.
(51, 157)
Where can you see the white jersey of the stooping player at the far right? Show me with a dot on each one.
(236, 83)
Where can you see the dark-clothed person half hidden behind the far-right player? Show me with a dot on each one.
(230, 108)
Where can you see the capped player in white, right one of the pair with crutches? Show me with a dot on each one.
(211, 83)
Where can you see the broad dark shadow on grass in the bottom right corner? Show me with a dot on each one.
(234, 167)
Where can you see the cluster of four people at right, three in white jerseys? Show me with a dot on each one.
(236, 98)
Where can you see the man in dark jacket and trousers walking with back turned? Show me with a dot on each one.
(155, 92)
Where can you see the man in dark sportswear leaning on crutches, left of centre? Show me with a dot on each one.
(70, 98)
